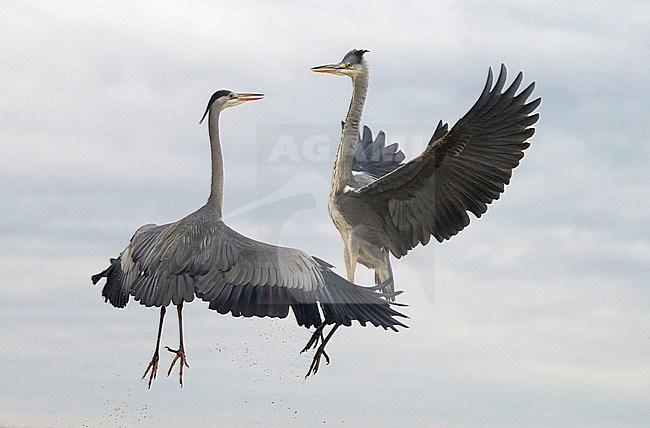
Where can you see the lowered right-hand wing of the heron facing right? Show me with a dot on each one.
(252, 278)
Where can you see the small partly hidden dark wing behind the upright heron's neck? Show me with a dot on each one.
(374, 157)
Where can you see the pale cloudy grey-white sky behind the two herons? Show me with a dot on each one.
(536, 315)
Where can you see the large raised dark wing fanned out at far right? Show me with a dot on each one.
(463, 169)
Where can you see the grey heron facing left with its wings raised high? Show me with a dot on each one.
(462, 169)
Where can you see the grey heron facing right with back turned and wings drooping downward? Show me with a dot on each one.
(200, 256)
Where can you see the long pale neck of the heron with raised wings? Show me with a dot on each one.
(350, 136)
